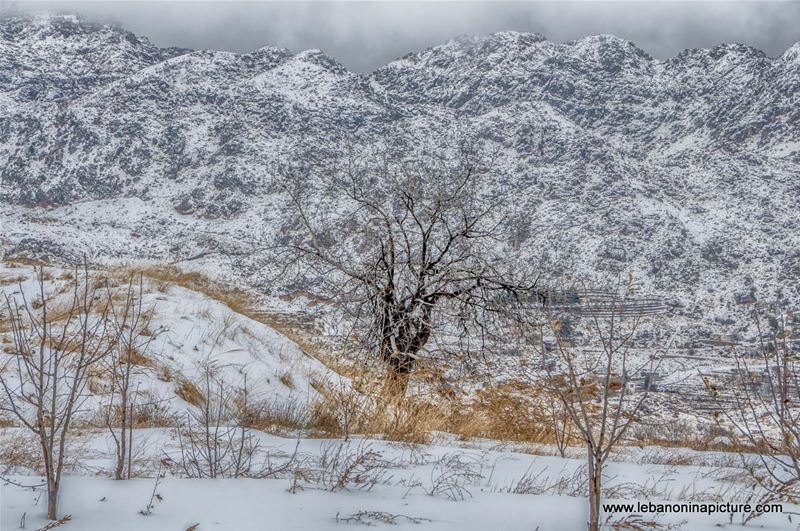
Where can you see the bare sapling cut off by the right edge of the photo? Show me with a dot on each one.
(761, 402)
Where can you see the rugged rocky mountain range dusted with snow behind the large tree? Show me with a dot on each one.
(684, 172)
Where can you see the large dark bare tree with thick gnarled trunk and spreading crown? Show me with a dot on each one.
(410, 244)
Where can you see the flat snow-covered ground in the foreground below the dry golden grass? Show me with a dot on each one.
(491, 480)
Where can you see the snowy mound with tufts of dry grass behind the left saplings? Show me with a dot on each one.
(191, 332)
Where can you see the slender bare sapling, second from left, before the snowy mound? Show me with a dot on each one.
(130, 325)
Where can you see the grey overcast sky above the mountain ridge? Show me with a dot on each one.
(365, 35)
